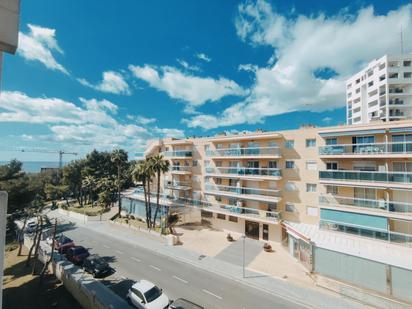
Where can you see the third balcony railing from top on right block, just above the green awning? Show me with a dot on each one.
(389, 206)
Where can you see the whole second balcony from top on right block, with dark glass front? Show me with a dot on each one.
(367, 178)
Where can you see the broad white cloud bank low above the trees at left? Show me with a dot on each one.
(92, 125)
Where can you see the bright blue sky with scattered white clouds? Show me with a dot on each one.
(117, 74)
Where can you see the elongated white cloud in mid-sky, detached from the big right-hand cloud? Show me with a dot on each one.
(189, 88)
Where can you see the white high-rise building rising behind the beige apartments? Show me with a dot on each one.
(381, 91)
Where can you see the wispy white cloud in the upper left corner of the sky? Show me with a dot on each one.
(38, 45)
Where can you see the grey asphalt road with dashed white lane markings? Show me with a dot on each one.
(177, 279)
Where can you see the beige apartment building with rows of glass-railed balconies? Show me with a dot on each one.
(273, 185)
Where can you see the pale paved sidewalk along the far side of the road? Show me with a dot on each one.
(309, 297)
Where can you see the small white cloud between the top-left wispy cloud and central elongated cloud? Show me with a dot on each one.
(112, 82)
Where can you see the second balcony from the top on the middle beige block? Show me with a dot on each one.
(244, 172)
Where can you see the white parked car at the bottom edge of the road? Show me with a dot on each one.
(144, 294)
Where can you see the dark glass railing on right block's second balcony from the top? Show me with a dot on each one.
(366, 176)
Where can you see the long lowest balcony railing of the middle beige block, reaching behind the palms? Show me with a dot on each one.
(246, 212)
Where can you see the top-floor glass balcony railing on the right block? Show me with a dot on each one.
(365, 149)
